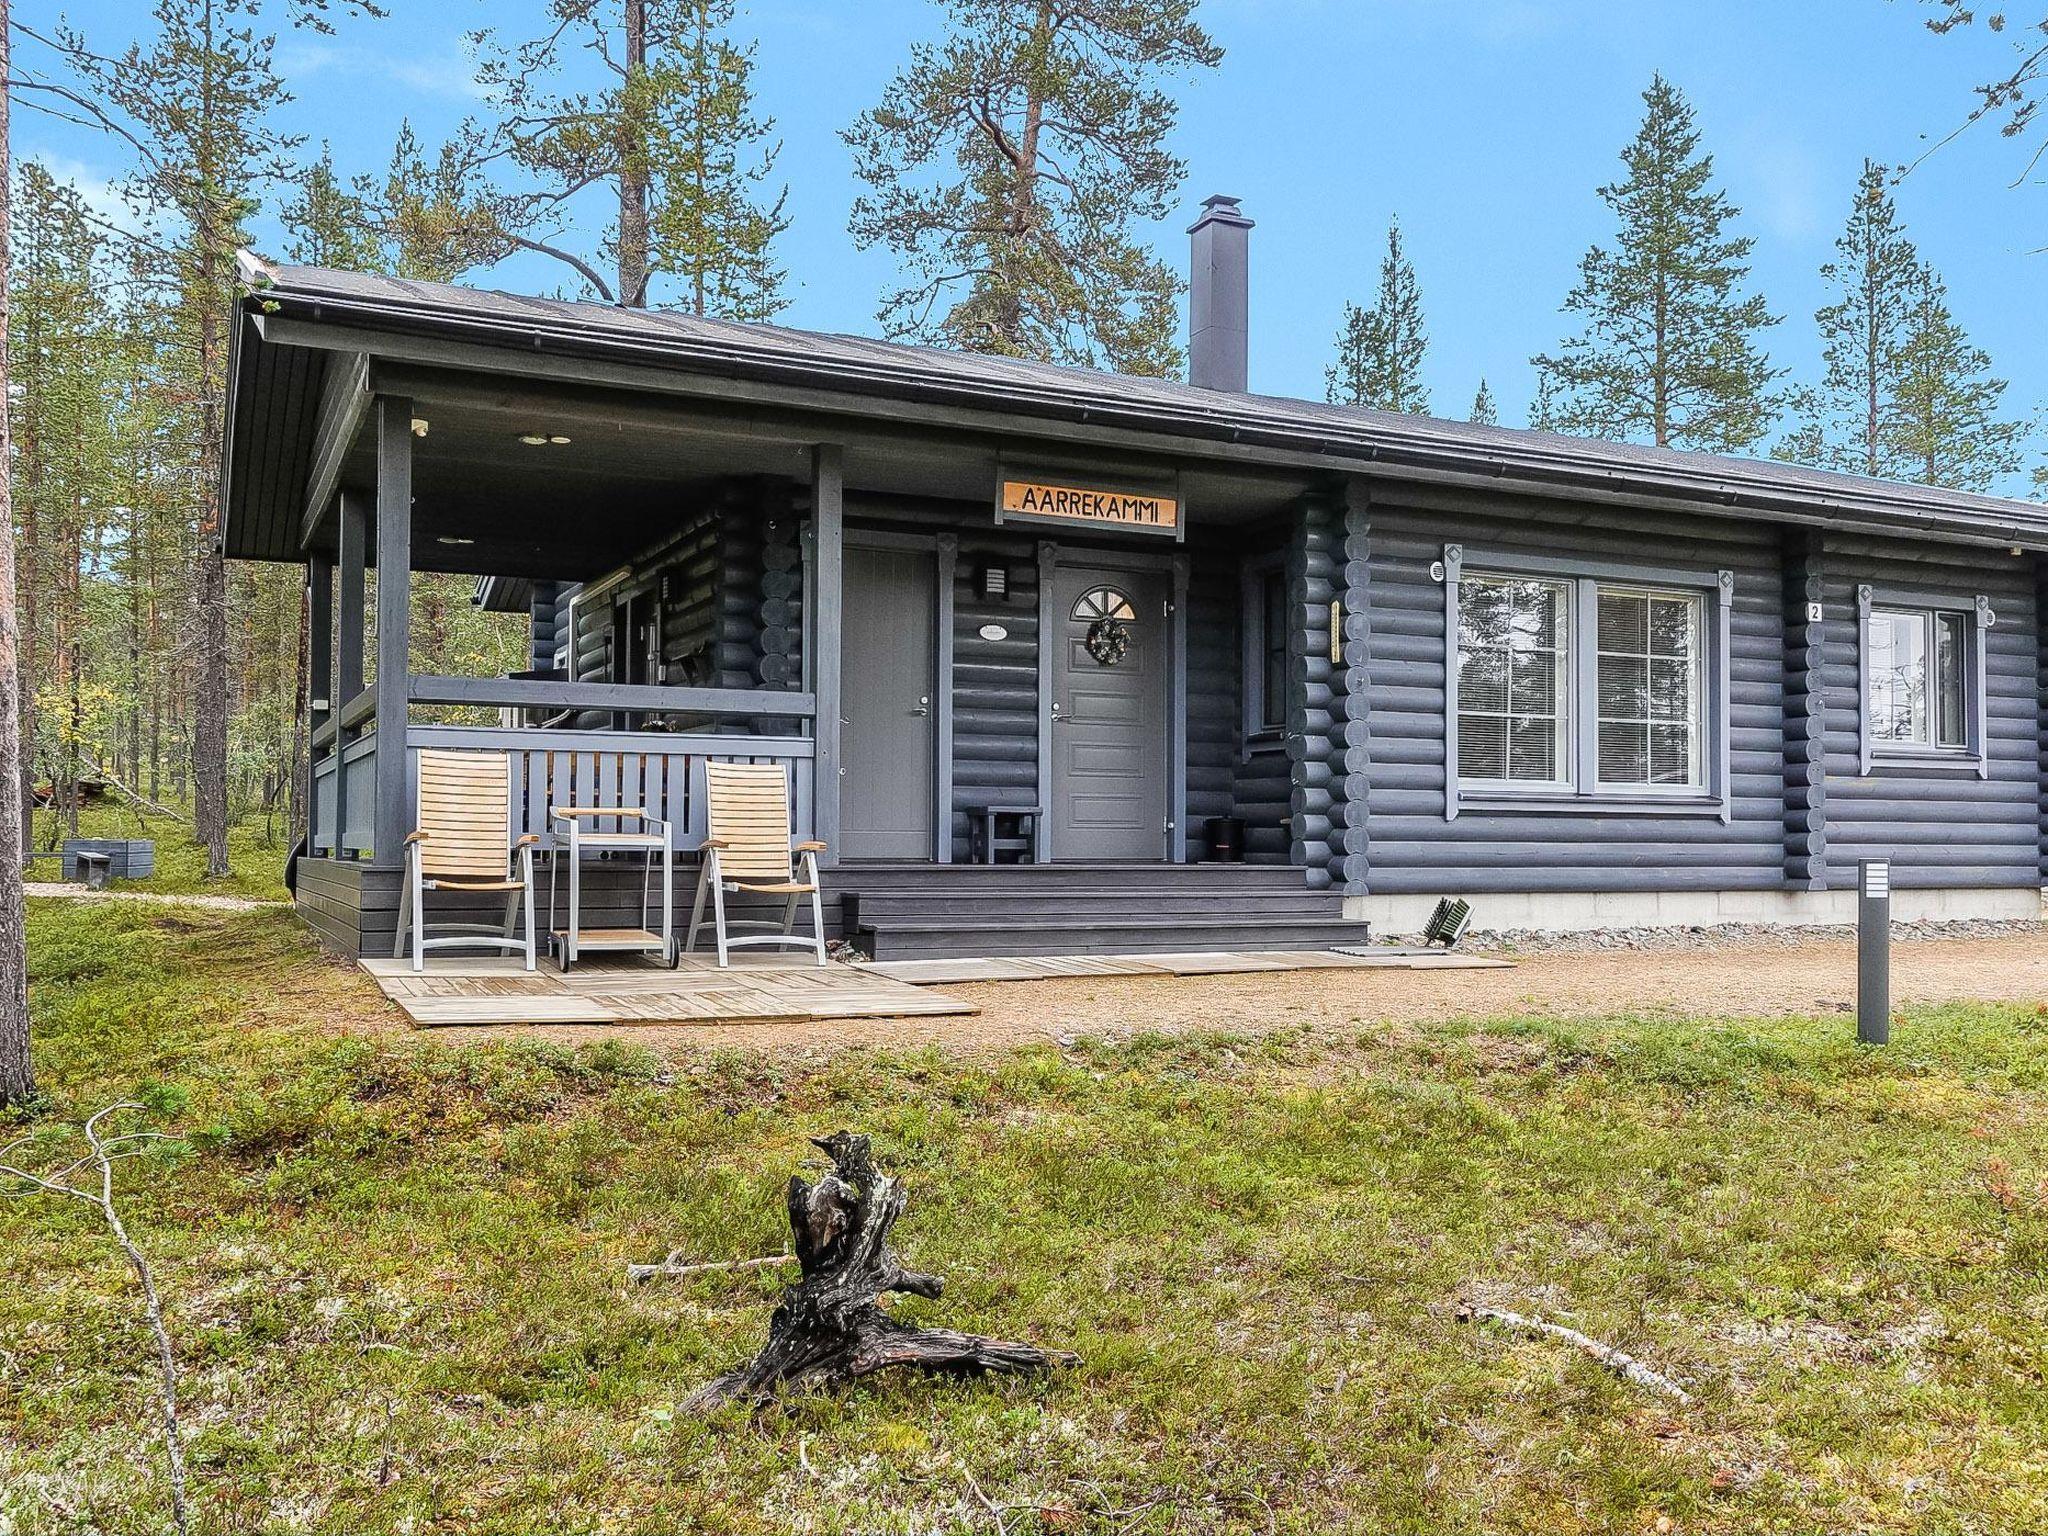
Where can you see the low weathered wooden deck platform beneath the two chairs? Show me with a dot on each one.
(620, 990)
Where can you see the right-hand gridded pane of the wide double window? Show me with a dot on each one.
(1650, 689)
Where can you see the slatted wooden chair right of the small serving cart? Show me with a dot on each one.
(749, 849)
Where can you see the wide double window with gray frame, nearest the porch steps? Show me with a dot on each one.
(1598, 691)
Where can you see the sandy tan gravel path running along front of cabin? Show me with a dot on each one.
(1736, 980)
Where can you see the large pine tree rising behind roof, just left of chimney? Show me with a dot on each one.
(1007, 167)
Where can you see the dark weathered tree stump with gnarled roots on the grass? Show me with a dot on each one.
(830, 1328)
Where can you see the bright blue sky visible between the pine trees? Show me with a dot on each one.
(1484, 124)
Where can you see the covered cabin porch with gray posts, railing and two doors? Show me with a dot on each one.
(718, 577)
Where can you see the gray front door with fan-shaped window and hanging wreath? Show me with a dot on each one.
(1109, 714)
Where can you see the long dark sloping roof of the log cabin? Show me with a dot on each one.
(1011, 388)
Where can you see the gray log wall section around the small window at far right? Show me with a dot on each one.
(1940, 828)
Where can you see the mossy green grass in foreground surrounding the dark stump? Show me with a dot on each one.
(396, 1271)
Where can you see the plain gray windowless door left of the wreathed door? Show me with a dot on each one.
(886, 724)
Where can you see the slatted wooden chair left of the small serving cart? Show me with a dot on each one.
(466, 816)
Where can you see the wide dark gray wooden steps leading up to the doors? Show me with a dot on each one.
(912, 912)
